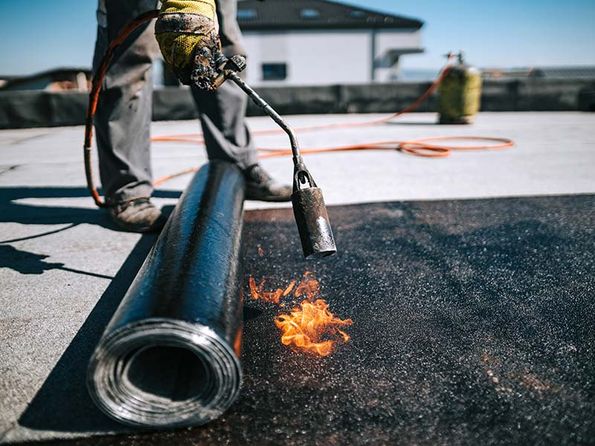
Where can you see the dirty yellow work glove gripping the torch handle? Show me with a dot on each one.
(188, 35)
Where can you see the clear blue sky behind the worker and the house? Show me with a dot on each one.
(41, 34)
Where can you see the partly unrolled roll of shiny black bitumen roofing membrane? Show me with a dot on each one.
(169, 356)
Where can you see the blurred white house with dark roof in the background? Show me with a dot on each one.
(317, 42)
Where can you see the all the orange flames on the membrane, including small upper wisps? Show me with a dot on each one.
(307, 324)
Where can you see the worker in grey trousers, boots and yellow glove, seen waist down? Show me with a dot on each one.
(190, 34)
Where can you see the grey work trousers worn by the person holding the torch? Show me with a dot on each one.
(123, 119)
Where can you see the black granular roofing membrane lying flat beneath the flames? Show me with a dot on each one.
(473, 323)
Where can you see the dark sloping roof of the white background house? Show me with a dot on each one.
(258, 15)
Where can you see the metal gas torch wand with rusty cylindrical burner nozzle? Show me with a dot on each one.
(309, 209)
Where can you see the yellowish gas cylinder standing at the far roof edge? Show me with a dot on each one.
(459, 94)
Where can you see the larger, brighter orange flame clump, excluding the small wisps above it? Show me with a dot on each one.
(305, 326)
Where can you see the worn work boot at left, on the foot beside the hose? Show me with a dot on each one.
(138, 215)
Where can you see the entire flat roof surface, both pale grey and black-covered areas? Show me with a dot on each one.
(449, 280)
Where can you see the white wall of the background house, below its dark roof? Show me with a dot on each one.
(322, 57)
